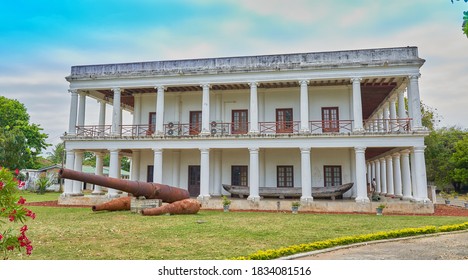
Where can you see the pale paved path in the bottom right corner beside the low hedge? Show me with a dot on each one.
(442, 246)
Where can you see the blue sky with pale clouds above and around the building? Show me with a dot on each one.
(41, 39)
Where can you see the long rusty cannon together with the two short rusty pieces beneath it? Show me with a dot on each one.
(178, 199)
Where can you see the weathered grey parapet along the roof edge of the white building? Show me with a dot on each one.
(258, 63)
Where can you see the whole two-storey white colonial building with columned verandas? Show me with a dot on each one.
(294, 120)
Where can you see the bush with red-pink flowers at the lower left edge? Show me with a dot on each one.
(12, 211)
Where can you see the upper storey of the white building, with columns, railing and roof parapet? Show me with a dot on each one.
(342, 93)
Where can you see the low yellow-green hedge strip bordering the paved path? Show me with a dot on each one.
(295, 249)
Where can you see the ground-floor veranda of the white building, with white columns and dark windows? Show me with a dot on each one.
(399, 172)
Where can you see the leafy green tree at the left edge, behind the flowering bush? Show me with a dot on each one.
(20, 141)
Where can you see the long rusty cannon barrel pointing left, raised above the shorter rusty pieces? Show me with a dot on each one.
(136, 188)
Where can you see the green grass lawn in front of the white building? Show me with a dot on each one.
(79, 233)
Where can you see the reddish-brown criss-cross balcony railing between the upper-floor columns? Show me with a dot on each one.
(228, 129)
